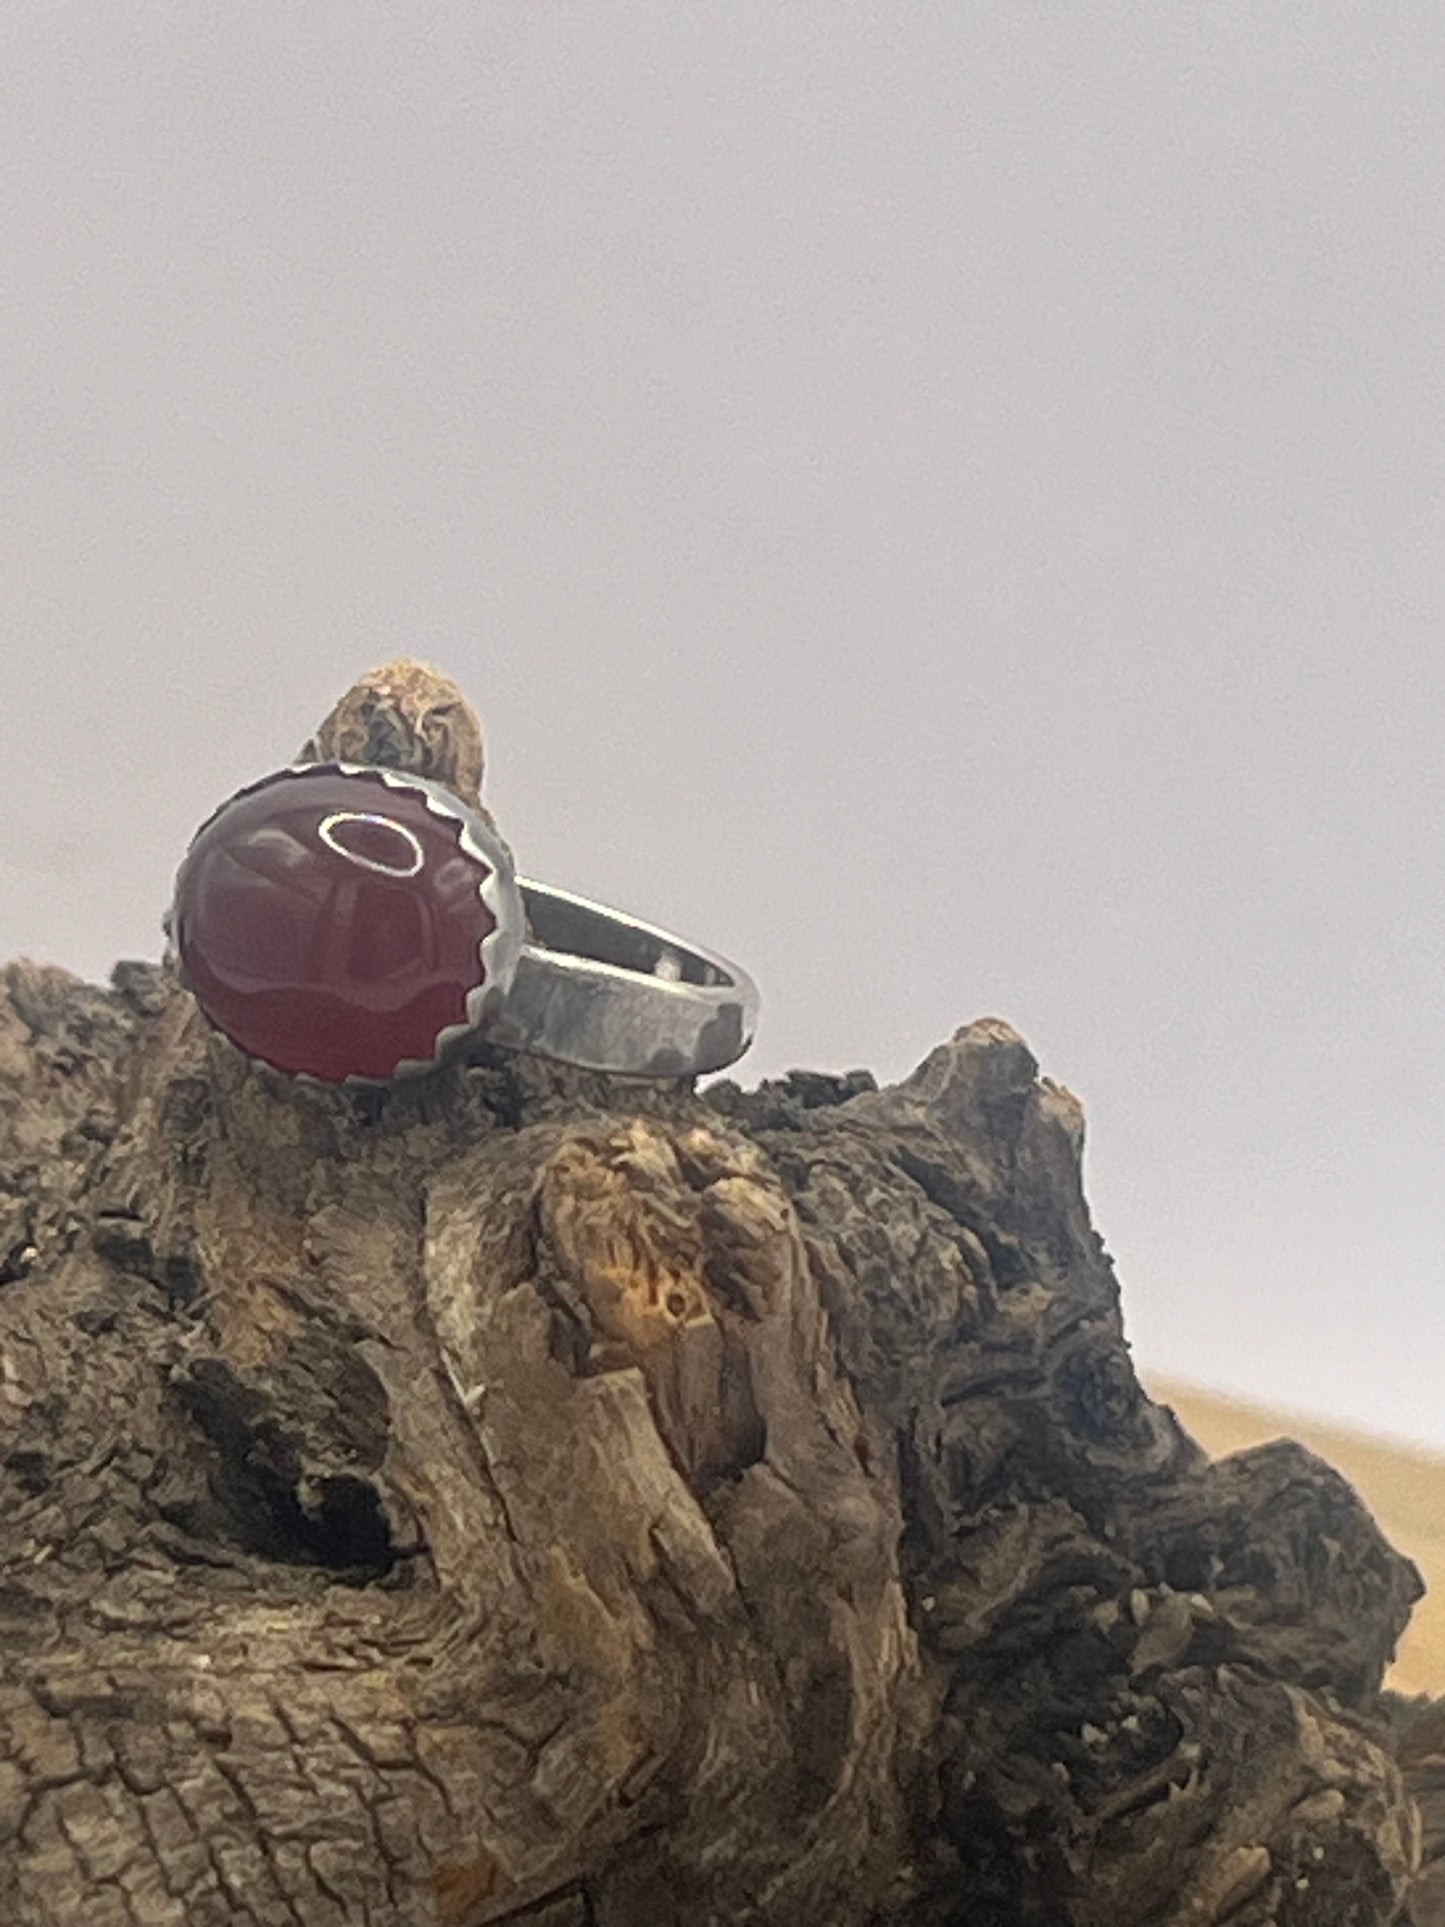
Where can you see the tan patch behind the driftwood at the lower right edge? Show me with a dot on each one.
(1404, 1489)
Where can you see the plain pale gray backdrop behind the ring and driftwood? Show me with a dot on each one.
(939, 502)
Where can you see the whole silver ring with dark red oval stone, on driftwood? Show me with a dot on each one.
(352, 924)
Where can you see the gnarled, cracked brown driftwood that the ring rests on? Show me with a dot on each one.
(523, 1496)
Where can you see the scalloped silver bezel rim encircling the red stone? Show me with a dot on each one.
(498, 953)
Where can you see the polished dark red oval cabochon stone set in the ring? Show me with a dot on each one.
(330, 924)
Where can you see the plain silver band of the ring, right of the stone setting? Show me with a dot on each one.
(610, 993)
